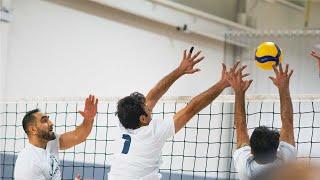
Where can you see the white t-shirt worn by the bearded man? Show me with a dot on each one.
(37, 163)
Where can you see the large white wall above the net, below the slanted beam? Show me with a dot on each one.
(81, 47)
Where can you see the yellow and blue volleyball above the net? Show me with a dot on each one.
(267, 54)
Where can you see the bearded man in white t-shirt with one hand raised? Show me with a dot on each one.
(39, 160)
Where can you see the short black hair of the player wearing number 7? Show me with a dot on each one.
(129, 110)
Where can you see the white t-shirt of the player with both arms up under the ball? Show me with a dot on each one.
(247, 167)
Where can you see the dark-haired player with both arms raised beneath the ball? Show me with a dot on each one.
(265, 147)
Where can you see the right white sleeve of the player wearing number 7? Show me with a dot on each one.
(163, 129)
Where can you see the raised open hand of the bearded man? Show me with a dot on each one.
(90, 108)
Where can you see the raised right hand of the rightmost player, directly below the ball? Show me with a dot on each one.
(282, 77)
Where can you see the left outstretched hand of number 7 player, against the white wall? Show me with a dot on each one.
(189, 61)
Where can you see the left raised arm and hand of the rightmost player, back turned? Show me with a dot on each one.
(240, 87)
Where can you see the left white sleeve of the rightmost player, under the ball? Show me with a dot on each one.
(240, 158)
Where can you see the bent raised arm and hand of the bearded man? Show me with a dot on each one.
(80, 134)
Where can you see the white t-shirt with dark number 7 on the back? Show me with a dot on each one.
(138, 154)
